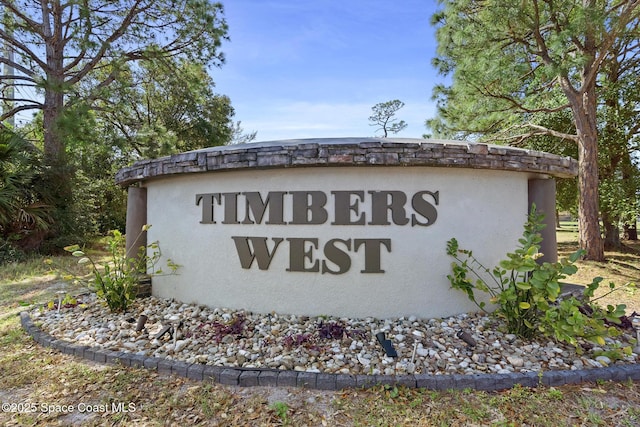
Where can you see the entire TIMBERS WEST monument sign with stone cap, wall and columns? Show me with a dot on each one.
(351, 227)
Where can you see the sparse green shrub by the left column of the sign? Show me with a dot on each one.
(116, 281)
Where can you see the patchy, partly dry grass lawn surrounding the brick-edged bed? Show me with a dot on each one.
(61, 390)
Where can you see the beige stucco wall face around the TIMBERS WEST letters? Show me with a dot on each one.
(483, 209)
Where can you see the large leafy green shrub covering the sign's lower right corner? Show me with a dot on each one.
(526, 292)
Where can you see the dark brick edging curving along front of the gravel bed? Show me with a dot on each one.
(247, 377)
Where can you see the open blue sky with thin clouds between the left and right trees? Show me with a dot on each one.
(311, 69)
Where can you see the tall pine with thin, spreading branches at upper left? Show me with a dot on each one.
(61, 46)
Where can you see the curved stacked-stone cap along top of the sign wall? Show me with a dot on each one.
(351, 152)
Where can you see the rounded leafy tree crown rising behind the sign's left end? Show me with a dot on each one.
(163, 107)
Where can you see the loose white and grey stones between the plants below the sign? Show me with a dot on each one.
(259, 346)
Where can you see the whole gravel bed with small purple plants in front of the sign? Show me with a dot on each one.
(463, 344)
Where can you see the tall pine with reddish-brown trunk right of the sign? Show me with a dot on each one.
(512, 61)
